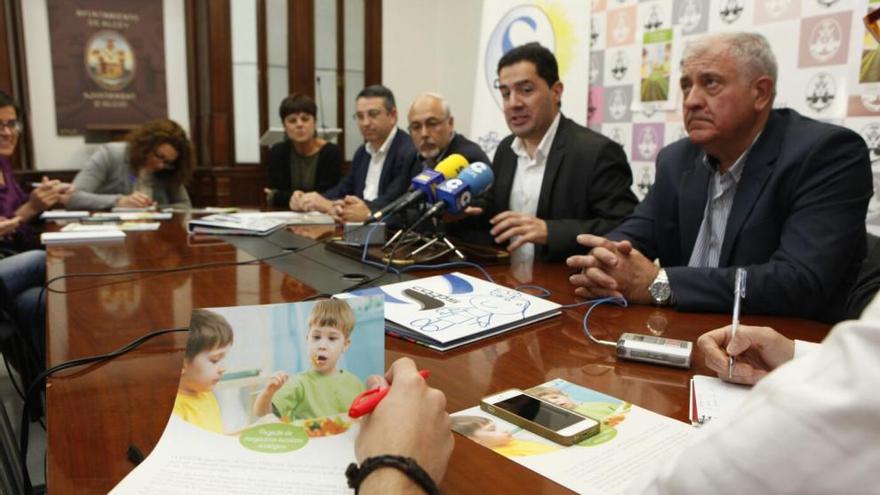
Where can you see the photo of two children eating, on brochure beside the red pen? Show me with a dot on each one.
(301, 364)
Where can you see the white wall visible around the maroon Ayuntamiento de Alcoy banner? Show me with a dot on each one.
(53, 152)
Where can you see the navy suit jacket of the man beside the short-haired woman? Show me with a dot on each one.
(394, 179)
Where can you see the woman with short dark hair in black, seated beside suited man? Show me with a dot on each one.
(302, 162)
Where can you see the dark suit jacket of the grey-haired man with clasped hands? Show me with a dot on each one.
(797, 221)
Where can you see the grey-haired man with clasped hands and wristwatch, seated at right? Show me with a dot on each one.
(779, 194)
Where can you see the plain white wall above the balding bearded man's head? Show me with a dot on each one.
(431, 46)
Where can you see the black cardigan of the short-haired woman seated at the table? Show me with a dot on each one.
(327, 173)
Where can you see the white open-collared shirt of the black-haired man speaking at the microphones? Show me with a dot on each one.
(526, 188)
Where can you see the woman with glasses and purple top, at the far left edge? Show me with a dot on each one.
(17, 208)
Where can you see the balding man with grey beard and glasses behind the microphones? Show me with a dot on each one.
(432, 128)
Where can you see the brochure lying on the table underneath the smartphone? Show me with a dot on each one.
(631, 439)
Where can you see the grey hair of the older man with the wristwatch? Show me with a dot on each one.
(751, 51)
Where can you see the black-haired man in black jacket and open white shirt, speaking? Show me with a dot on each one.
(554, 178)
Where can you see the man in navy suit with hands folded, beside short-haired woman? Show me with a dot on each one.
(380, 168)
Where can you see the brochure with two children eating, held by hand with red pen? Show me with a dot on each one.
(263, 399)
